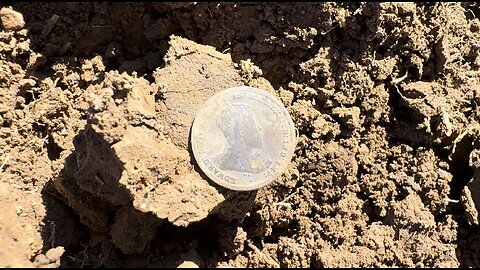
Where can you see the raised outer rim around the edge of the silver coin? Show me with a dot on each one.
(281, 169)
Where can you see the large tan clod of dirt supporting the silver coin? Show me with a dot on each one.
(131, 169)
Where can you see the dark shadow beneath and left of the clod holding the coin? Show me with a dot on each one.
(91, 215)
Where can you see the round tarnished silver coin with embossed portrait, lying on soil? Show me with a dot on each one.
(243, 138)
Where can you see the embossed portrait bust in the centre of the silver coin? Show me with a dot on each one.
(245, 141)
